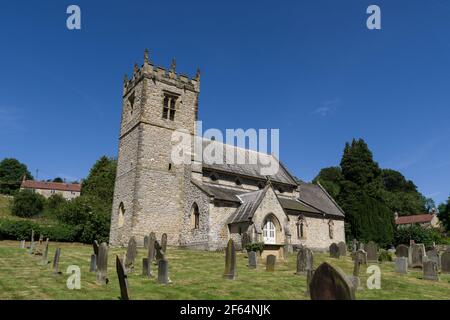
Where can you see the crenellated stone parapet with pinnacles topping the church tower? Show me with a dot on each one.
(158, 73)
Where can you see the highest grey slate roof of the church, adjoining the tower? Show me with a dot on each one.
(262, 160)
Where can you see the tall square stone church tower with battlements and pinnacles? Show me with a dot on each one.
(149, 188)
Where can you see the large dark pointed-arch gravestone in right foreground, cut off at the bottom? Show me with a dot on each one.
(330, 283)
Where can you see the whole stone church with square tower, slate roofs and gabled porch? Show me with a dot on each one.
(202, 205)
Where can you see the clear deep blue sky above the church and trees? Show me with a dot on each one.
(310, 68)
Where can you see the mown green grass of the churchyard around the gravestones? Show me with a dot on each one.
(195, 275)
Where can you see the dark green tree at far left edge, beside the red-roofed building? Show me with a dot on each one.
(11, 174)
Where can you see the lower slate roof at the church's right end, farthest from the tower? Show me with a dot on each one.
(316, 196)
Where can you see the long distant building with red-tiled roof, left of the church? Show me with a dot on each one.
(47, 189)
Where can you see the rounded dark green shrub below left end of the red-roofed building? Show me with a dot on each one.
(27, 203)
